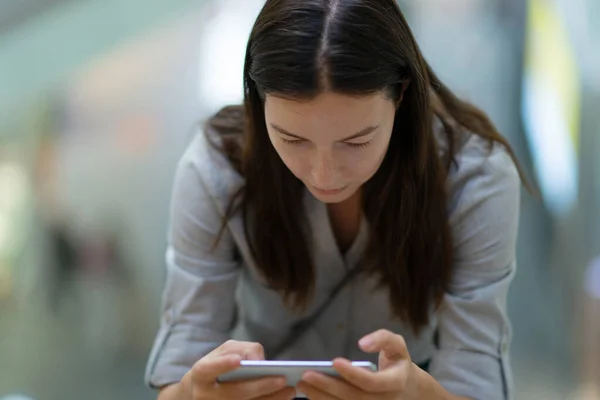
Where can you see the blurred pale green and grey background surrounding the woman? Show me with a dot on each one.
(98, 99)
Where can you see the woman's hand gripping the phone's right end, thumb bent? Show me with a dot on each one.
(395, 380)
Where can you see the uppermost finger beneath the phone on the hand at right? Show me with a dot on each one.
(368, 381)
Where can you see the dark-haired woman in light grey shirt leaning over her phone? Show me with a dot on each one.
(353, 197)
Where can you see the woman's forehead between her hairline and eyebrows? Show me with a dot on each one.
(328, 113)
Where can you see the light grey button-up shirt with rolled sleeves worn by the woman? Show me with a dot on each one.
(212, 296)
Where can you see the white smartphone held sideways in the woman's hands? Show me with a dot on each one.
(292, 370)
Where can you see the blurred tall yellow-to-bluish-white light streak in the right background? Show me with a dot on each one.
(551, 105)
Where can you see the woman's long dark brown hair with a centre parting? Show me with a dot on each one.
(300, 48)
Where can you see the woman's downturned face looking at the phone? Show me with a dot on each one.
(333, 143)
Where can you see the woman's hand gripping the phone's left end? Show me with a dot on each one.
(200, 383)
